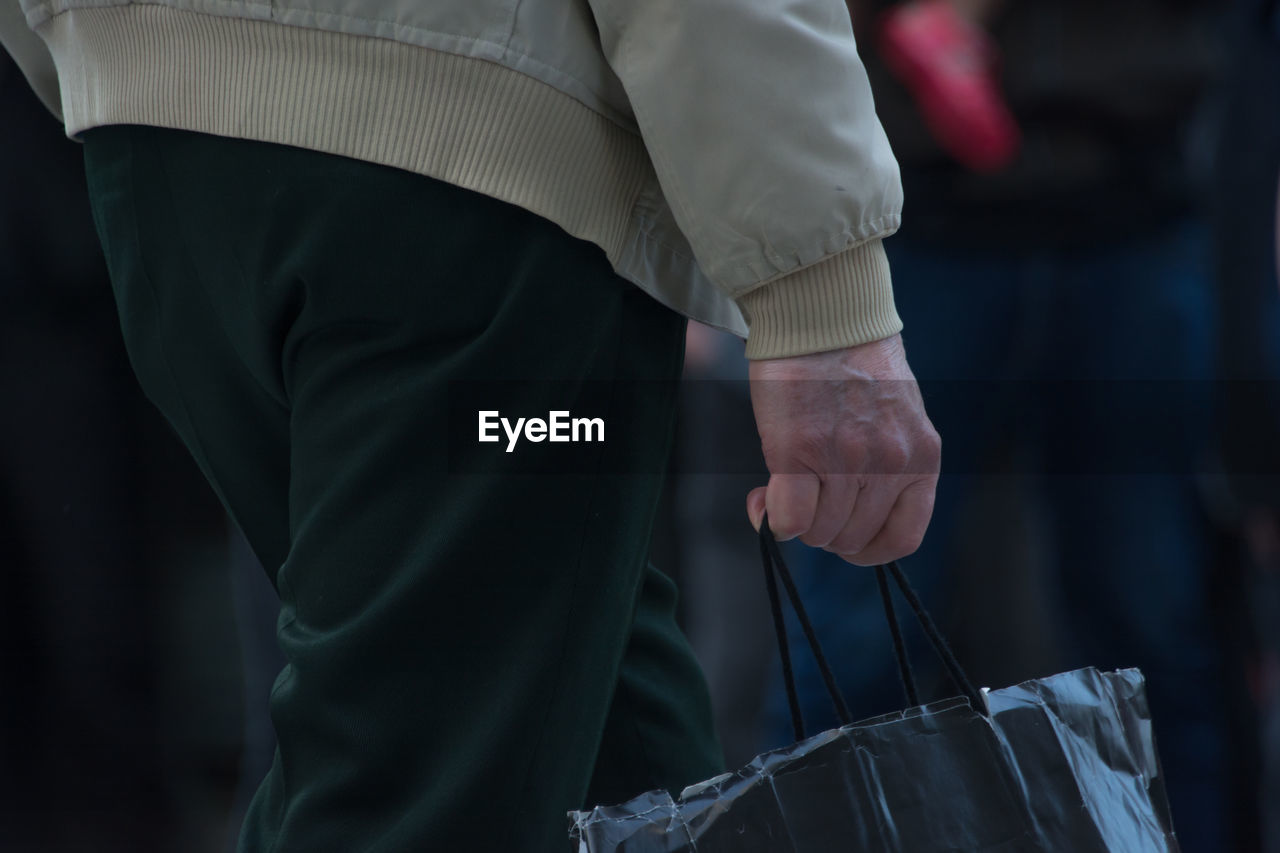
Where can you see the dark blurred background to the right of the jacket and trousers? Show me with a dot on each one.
(1087, 276)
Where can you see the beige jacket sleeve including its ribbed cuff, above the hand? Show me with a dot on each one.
(760, 121)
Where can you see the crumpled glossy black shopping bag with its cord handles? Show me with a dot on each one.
(1064, 764)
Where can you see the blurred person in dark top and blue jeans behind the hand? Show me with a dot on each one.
(1059, 302)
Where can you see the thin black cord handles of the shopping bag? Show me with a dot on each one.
(775, 568)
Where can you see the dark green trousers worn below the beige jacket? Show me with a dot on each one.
(472, 651)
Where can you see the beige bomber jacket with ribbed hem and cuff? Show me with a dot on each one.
(725, 154)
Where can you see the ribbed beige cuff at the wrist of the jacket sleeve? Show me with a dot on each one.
(843, 302)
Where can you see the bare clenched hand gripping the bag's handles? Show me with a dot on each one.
(853, 458)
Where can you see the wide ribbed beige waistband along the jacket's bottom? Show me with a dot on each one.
(469, 122)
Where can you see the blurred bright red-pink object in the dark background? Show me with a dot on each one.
(948, 66)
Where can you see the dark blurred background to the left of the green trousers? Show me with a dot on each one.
(126, 711)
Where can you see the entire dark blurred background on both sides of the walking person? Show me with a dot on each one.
(1087, 273)
